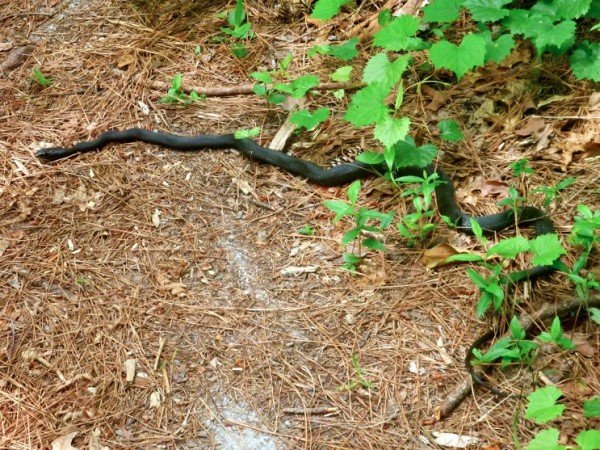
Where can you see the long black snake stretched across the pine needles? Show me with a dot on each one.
(333, 176)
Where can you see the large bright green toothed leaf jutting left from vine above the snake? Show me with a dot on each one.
(367, 105)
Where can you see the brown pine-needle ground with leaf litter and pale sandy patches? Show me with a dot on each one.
(169, 265)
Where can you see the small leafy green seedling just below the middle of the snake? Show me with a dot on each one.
(364, 220)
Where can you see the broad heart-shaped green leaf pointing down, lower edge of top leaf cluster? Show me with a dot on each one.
(459, 59)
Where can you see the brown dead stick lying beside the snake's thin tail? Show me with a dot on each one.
(547, 311)
